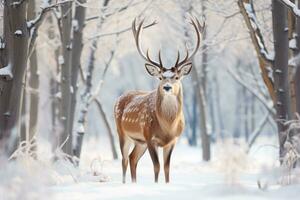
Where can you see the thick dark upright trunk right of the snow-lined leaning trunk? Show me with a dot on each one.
(281, 81)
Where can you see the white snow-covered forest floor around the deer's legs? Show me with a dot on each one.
(232, 174)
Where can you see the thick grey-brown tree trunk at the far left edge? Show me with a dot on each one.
(16, 40)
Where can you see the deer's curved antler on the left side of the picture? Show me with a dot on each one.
(136, 34)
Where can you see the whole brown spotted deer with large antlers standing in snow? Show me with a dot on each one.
(152, 119)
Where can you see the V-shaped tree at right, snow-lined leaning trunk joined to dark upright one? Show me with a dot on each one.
(278, 87)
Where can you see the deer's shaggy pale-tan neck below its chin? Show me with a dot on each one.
(168, 107)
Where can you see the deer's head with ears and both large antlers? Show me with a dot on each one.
(170, 79)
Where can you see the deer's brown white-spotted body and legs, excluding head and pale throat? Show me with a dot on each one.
(140, 119)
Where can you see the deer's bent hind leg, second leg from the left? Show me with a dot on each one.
(134, 157)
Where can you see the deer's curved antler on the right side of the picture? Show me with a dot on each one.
(198, 28)
